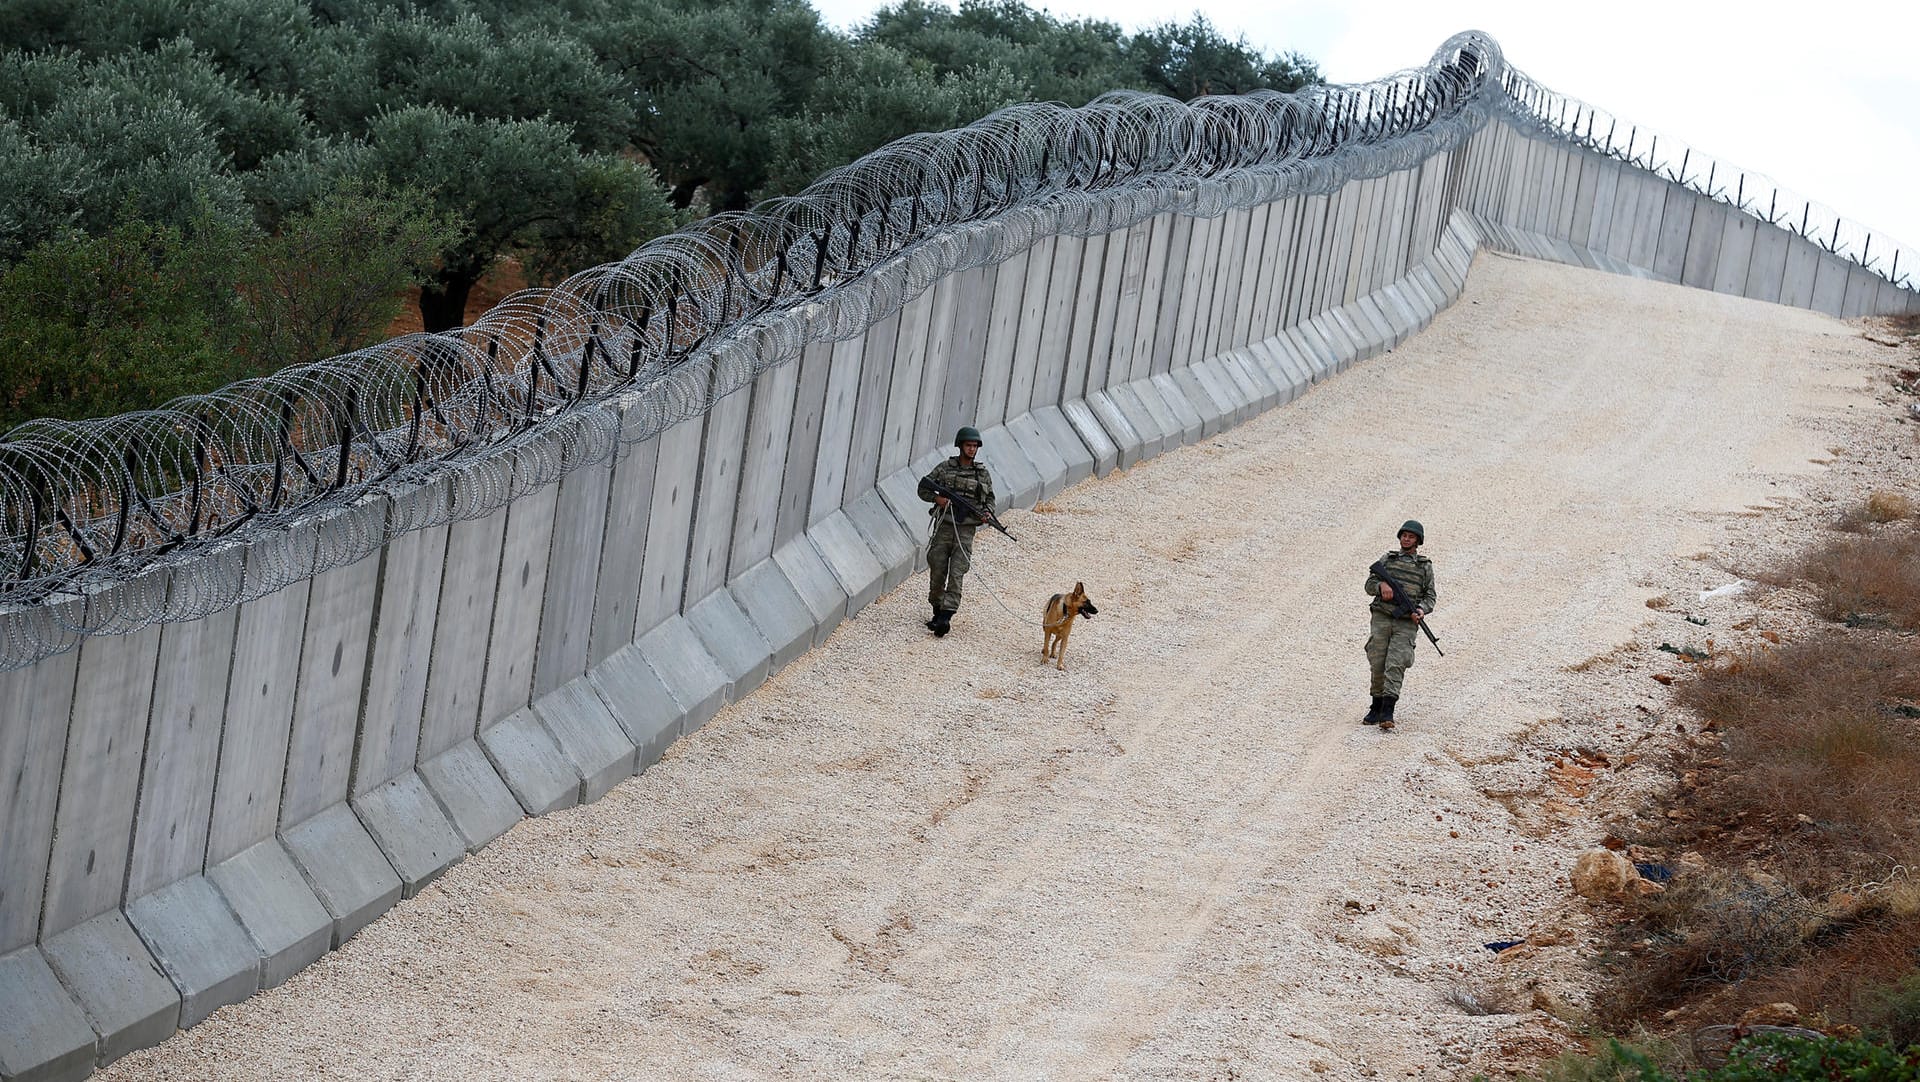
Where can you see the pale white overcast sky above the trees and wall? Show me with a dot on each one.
(1825, 101)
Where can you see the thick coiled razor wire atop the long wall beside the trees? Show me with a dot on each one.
(166, 515)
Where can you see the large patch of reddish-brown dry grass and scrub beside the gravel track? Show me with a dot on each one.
(1810, 797)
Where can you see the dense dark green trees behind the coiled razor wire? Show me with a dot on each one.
(212, 147)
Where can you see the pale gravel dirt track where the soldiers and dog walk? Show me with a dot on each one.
(1182, 857)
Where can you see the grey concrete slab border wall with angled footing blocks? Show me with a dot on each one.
(197, 811)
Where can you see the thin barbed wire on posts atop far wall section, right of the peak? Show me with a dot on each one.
(1673, 160)
